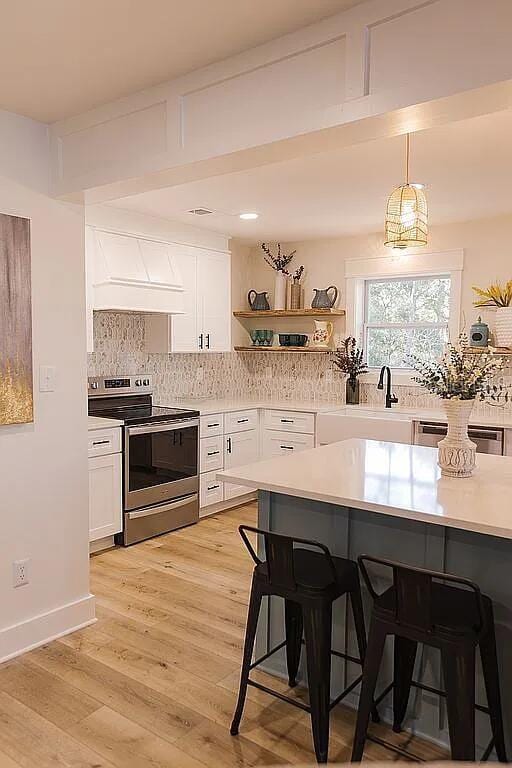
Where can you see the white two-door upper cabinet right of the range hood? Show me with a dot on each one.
(205, 325)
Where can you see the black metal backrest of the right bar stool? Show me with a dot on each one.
(413, 591)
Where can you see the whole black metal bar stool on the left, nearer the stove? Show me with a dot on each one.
(309, 580)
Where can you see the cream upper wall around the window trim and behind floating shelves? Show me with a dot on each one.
(486, 244)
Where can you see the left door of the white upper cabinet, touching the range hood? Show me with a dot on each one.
(184, 328)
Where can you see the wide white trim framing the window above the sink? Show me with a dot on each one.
(357, 271)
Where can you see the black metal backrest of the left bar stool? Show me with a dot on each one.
(278, 550)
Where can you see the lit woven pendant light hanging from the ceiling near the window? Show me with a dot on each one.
(407, 213)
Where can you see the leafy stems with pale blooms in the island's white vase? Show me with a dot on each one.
(458, 374)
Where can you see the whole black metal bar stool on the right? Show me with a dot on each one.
(446, 612)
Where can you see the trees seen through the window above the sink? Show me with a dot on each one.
(403, 316)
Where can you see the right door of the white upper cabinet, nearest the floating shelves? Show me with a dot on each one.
(214, 295)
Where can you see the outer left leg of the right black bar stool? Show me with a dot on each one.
(376, 640)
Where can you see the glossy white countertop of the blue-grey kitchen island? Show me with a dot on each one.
(392, 479)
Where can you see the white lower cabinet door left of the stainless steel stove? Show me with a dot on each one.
(105, 496)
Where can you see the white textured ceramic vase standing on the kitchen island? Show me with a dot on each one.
(457, 453)
